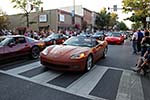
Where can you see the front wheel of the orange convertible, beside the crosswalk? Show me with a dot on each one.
(89, 63)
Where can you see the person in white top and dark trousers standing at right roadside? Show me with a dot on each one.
(134, 42)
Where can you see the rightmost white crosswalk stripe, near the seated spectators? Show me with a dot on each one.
(130, 87)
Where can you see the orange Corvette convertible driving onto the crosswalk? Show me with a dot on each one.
(75, 54)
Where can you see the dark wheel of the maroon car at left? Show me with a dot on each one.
(35, 51)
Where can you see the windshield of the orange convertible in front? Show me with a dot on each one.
(79, 41)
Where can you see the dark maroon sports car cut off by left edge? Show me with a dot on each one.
(17, 45)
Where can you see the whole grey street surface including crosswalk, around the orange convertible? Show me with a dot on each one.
(110, 79)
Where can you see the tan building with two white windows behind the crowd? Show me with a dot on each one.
(55, 19)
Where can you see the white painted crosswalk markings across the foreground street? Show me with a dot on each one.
(130, 87)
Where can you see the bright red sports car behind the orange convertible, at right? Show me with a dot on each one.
(114, 38)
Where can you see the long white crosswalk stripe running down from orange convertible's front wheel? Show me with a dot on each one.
(87, 82)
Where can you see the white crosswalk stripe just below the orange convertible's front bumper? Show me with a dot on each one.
(46, 76)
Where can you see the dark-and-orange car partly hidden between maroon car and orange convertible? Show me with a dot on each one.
(55, 38)
